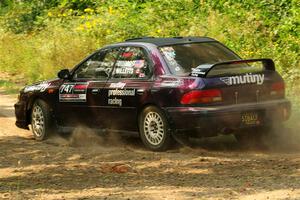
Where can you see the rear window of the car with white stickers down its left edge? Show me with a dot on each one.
(183, 58)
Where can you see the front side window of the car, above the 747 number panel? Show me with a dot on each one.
(98, 66)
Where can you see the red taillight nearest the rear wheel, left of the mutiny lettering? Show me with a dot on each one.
(201, 96)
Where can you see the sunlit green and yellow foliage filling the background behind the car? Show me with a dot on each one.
(43, 36)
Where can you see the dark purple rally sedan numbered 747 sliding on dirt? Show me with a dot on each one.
(158, 88)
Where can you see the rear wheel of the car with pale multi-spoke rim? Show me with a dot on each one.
(154, 129)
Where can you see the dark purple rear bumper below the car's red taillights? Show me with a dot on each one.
(209, 120)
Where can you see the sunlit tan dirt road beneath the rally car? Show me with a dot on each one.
(87, 166)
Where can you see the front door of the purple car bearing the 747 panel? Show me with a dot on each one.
(77, 95)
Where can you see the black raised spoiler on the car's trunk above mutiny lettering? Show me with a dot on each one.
(267, 63)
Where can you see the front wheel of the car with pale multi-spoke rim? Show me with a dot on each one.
(41, 121)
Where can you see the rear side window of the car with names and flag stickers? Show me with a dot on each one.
(132, 63)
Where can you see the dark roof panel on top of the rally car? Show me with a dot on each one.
(170, 40)
